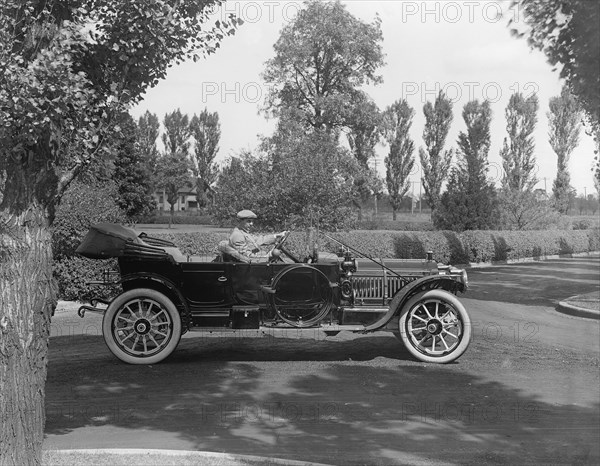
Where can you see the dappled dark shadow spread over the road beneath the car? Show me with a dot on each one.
(216, 395)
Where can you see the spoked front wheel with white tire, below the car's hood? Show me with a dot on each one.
(435, 327)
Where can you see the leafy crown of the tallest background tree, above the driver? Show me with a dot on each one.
(322, 58)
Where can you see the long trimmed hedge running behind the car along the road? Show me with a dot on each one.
(470, 247)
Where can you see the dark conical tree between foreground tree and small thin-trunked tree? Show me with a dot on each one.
(132, 172)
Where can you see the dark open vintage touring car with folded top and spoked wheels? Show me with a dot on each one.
(160, 294)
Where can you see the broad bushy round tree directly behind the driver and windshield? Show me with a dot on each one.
(305, 180)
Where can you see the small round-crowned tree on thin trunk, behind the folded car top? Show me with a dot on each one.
(172, 174)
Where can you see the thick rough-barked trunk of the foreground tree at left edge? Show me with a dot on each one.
(27, 299)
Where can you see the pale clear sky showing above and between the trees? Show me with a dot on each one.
(461, 47)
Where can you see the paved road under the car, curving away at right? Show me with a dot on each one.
(525, 392)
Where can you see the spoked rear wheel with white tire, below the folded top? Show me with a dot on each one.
(141, 326)
